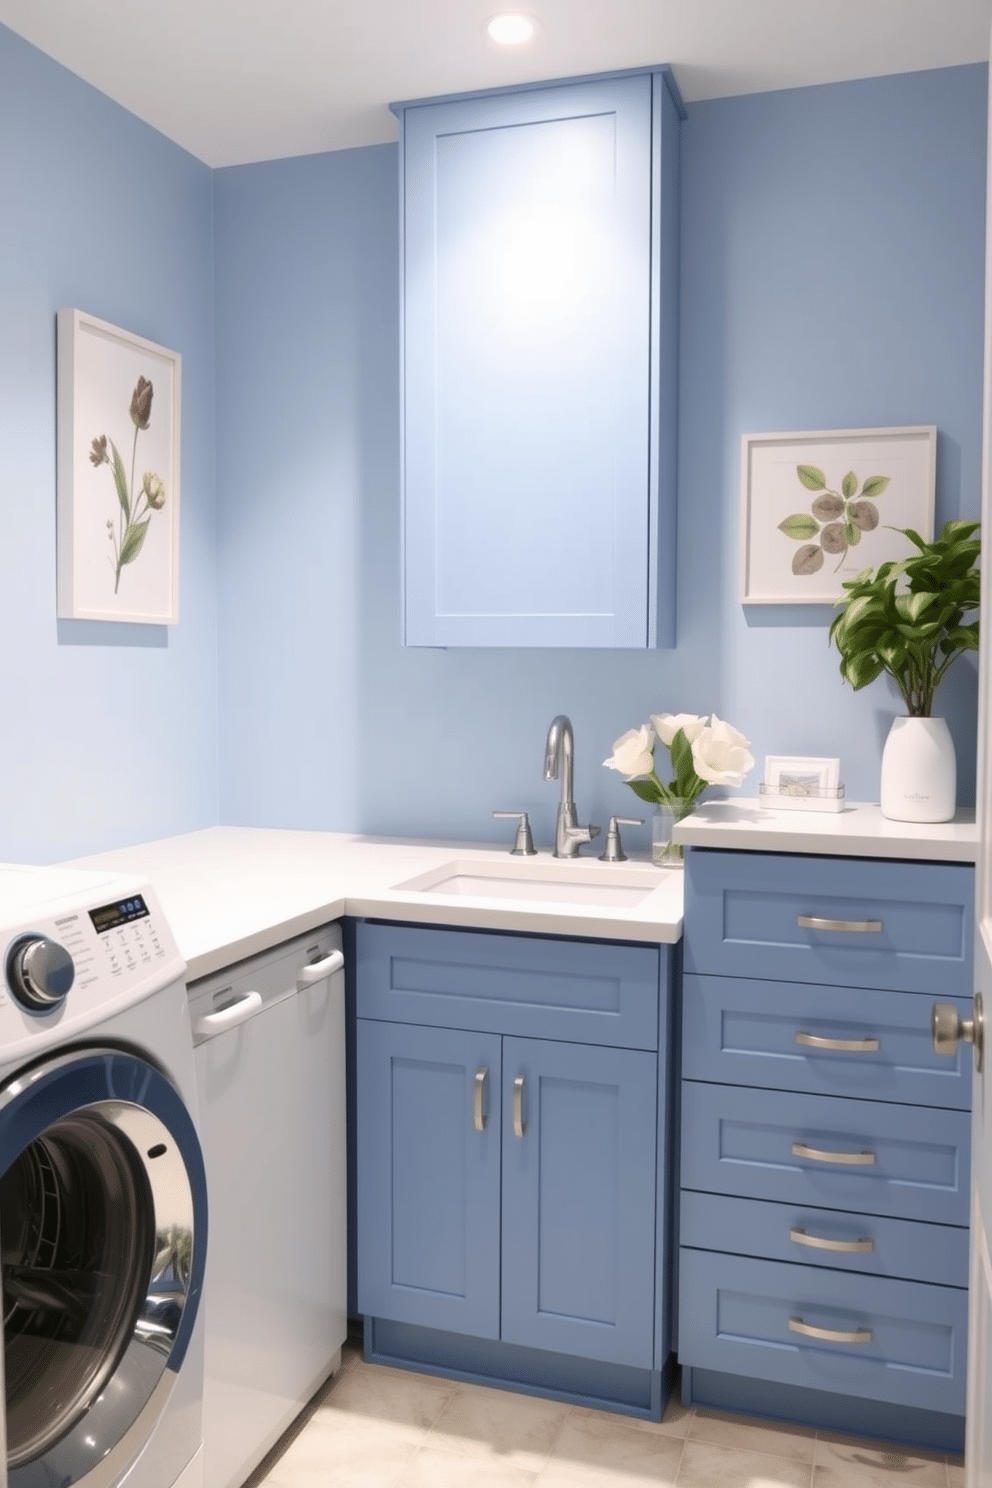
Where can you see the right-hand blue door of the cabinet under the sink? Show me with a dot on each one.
(579, 1161)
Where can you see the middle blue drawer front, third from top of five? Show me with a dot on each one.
(741, 1142)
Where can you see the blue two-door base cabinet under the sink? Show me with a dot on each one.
(512, 1188)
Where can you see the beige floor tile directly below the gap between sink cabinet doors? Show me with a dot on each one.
(518, 1429)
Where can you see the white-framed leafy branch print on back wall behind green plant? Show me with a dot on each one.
(795, 530)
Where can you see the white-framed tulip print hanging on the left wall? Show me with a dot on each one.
(118, 474)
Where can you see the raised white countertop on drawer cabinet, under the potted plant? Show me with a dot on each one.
(857, 831)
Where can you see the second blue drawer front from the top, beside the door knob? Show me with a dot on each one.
(832, 1041)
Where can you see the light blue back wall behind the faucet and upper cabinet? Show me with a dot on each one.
(832, 278)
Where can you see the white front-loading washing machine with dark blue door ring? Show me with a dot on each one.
(103, 1197)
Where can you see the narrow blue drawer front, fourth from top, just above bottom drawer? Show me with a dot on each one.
(844, 1242)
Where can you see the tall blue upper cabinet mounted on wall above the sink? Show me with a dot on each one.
(541, 307)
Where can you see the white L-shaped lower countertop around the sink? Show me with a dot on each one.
(231, 892)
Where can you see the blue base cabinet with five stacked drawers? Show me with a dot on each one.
(825, 1145)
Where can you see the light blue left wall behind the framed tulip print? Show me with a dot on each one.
(108, 733)
